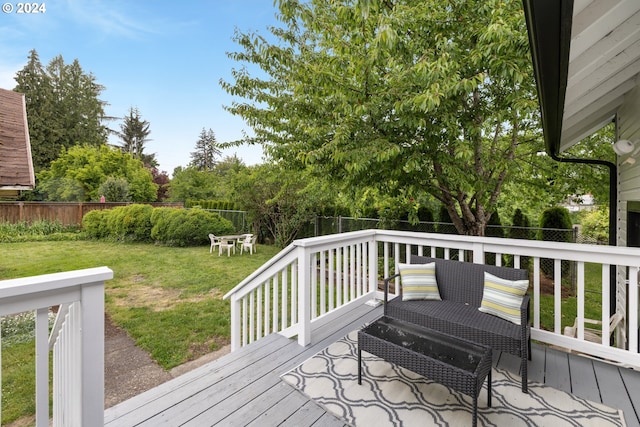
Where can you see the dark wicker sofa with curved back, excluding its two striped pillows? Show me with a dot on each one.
(461, 286)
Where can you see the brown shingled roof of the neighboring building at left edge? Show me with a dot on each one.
(16, 164)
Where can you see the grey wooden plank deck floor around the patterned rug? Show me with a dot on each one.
(244, 388)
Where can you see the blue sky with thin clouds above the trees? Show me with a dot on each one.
(164, 57)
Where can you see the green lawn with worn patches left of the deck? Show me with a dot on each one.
(169, 300)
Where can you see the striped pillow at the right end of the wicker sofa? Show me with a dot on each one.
(503, 297)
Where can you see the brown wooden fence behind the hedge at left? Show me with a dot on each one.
(67, 213)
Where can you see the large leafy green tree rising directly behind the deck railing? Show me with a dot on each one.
(420, 95)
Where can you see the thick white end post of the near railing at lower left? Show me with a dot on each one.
(92, 356)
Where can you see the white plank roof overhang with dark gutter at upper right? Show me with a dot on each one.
(586, 58)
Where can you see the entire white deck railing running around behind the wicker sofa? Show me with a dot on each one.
(317, 278)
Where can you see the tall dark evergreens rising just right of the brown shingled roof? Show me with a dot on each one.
(63, 107)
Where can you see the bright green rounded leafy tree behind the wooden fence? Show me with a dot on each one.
(80, 171)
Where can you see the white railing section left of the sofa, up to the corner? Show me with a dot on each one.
(300, 286)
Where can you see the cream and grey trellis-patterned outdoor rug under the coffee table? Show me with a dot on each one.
(391, 395)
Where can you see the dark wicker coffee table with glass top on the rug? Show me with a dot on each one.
(450, 361)
